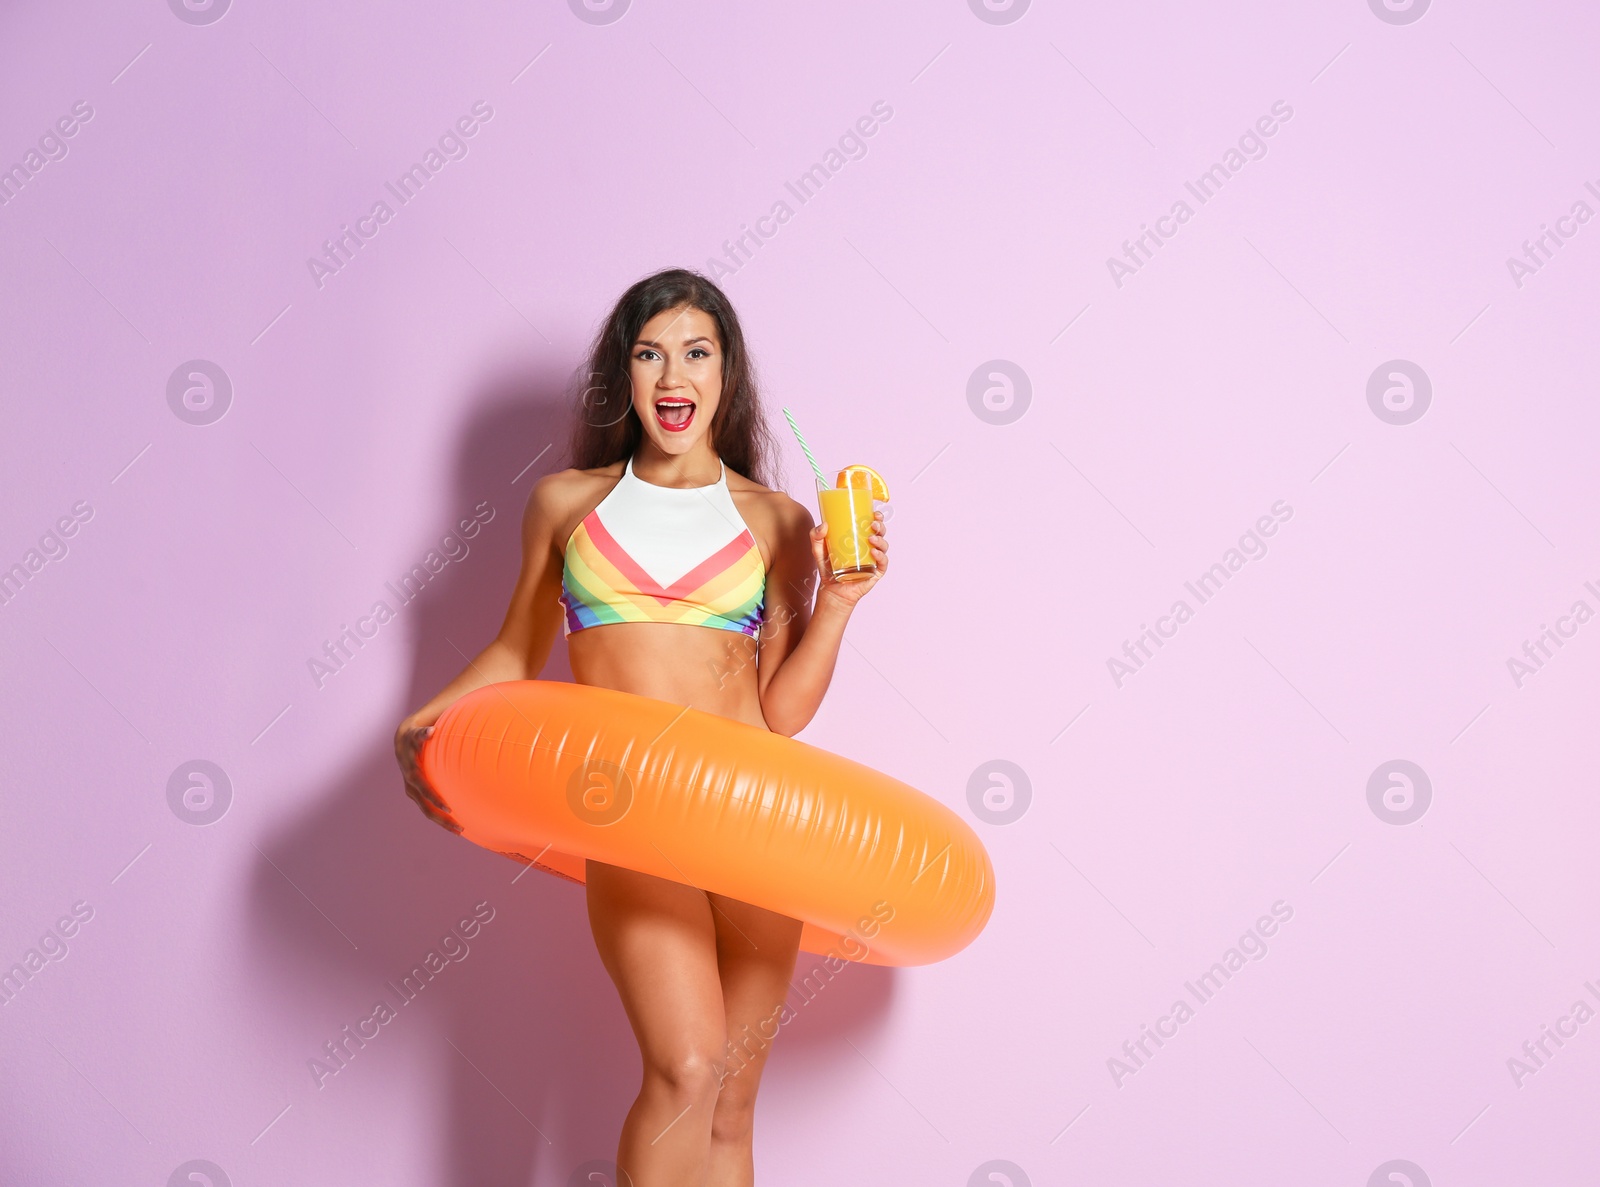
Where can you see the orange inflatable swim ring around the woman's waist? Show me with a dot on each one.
(553, 773)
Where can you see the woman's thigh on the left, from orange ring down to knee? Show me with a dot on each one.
(658, 941)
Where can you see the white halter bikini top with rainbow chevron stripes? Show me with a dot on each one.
(665, 554)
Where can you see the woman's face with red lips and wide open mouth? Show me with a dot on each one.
(678, 378)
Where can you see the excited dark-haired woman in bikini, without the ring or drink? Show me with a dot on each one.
(678, 574)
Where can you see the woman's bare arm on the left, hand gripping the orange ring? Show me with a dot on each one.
(521, 649)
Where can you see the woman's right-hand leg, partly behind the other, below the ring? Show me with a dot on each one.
(756, 959)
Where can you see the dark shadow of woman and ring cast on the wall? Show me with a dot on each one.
(518, 1025)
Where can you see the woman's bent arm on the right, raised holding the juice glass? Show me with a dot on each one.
(799, 644)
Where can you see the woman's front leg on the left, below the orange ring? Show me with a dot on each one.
(658, 943)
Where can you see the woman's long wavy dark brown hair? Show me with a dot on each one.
(606, 426)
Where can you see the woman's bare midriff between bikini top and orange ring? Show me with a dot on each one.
(702, 668)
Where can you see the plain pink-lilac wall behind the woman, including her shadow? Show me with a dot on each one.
(1143, 423)
